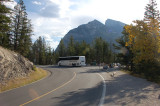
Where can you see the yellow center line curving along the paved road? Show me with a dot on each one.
(49, 91)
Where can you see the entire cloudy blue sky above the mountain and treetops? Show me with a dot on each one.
(52, 19)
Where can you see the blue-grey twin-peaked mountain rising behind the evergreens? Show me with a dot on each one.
(88, 32)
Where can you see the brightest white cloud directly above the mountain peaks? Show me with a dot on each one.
(121, 10)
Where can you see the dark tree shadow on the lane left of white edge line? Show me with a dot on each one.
(82, 97)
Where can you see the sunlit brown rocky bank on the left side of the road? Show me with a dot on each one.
(13, 65)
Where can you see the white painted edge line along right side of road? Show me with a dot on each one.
(103, 92)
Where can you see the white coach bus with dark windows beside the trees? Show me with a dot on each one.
(72, 61)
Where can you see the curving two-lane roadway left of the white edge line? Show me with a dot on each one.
(64, 86)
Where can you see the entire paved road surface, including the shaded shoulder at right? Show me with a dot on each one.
(82, 86)
